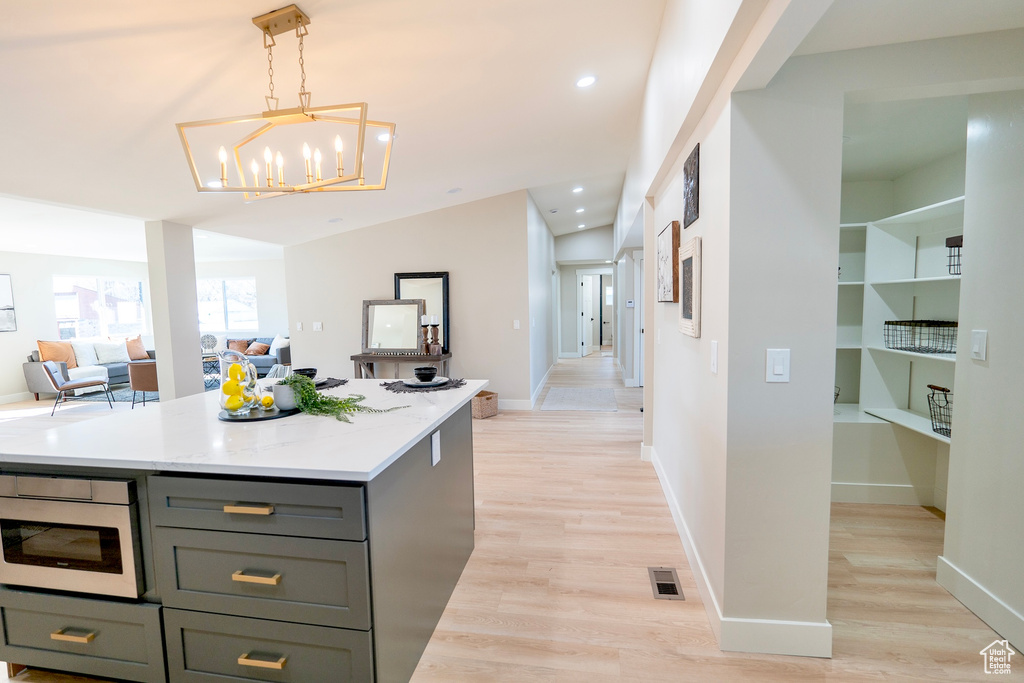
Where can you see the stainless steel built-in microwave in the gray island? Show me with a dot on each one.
(71, 535)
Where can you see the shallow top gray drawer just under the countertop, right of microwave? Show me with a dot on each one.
(259, 507)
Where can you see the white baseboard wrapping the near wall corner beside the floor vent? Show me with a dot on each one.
(744, 635)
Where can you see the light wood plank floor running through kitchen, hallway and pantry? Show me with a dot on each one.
(569, 519)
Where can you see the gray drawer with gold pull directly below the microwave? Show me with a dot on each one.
(96, 637)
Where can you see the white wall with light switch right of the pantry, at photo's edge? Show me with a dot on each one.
(984, 554)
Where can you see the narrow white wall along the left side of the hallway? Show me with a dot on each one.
(542, 297)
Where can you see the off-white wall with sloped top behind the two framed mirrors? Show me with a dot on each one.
(483, 245)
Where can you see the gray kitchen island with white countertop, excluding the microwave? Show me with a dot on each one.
(295, 549)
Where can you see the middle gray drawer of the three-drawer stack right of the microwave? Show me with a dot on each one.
(309, 581)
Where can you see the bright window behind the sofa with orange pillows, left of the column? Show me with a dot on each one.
(99, 308)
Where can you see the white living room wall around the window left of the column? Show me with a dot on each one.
(32, 280)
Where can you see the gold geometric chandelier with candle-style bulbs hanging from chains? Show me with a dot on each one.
(279, 152)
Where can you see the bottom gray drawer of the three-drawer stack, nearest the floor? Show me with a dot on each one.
(214, 648)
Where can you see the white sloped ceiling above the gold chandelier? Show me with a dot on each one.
(483, 95)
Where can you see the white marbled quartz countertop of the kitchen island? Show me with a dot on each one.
(185, 436)
